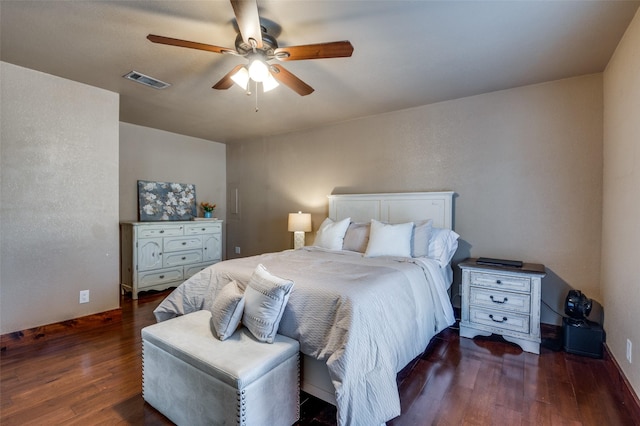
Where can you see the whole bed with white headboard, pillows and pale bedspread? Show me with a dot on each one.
(361, 311)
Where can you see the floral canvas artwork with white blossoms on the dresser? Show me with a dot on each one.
(166, 201)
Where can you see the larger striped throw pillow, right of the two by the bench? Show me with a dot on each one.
(265, 298)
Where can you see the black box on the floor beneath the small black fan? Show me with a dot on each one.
(583, 338)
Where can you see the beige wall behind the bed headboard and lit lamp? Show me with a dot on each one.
(526, 165)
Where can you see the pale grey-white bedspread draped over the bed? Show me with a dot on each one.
(365, 317)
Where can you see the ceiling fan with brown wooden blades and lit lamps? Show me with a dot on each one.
(260, 48)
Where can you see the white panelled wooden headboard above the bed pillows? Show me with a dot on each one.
(395, 207)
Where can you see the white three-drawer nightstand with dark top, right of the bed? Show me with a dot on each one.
(502, 300)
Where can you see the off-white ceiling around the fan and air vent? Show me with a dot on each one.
(406, 54)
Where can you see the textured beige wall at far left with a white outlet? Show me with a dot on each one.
(59, 199)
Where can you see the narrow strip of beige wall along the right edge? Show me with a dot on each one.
(621, 213)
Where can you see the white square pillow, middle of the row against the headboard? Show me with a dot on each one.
(389, 240)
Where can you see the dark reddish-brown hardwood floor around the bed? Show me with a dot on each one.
(94, 377)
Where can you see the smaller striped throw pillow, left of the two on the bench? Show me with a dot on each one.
(226, 311)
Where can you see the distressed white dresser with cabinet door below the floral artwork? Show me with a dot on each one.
(159, 255)
